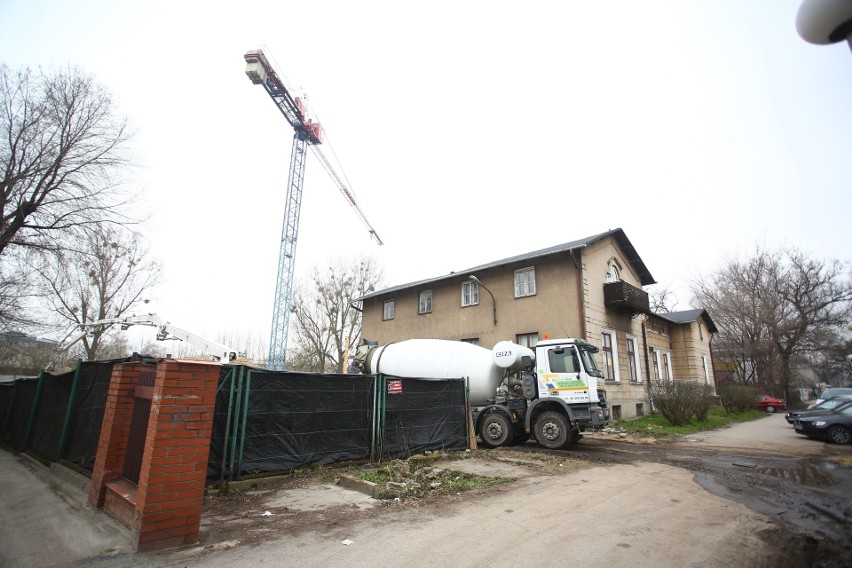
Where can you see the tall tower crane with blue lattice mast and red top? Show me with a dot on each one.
(308, 133)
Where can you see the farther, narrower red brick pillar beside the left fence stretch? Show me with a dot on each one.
(112, 445)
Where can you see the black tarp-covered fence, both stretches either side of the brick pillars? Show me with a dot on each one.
(263, 422)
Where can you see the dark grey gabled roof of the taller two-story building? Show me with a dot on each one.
(618, 234)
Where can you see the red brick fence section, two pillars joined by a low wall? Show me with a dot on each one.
(164, 509)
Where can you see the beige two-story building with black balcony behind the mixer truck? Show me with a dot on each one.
(590, 288)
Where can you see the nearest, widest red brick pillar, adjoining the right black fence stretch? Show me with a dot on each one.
(170, 493)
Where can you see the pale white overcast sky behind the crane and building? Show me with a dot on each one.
(469, 131)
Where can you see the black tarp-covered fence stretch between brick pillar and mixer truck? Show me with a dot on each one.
(277, 421)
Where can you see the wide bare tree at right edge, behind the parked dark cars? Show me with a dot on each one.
(773, 308)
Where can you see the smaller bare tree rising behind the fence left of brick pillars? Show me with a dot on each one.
(104, 274)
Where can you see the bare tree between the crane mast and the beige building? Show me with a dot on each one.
(325, 315)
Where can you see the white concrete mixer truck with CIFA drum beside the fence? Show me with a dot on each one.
(554, 392)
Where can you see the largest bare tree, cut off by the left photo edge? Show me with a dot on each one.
(61, 150)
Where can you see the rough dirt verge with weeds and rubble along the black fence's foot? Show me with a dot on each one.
(315, 501)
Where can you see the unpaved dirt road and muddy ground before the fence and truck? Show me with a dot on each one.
(753, 495)
